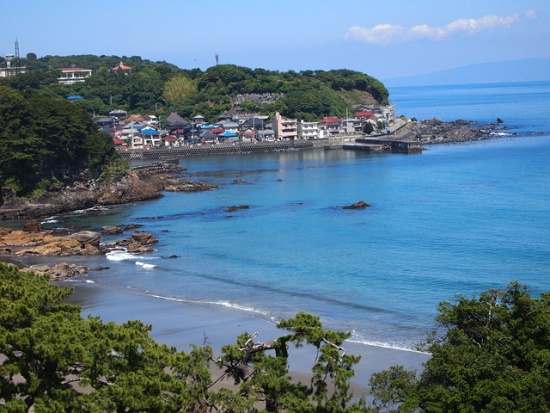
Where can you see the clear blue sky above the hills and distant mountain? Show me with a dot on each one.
(385, 39)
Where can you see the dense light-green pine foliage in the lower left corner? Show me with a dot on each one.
(48, 347)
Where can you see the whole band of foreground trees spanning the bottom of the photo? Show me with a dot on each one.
(493, 356)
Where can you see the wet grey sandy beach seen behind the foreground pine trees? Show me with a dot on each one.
(182, 325)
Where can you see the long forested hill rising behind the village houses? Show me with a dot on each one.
(161, 88)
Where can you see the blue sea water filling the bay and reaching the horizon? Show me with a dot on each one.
(456, 219)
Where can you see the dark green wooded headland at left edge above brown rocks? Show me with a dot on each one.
(46, 139)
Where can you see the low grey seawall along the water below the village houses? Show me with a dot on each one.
(211, 150)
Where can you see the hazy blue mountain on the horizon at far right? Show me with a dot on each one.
(525, 70)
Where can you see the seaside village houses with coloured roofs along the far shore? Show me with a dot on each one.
(146, 132)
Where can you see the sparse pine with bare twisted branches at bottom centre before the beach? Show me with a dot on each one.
(266, 376)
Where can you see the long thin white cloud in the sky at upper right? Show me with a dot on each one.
(383, 34)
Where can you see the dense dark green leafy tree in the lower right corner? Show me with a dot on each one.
(493, 357)
